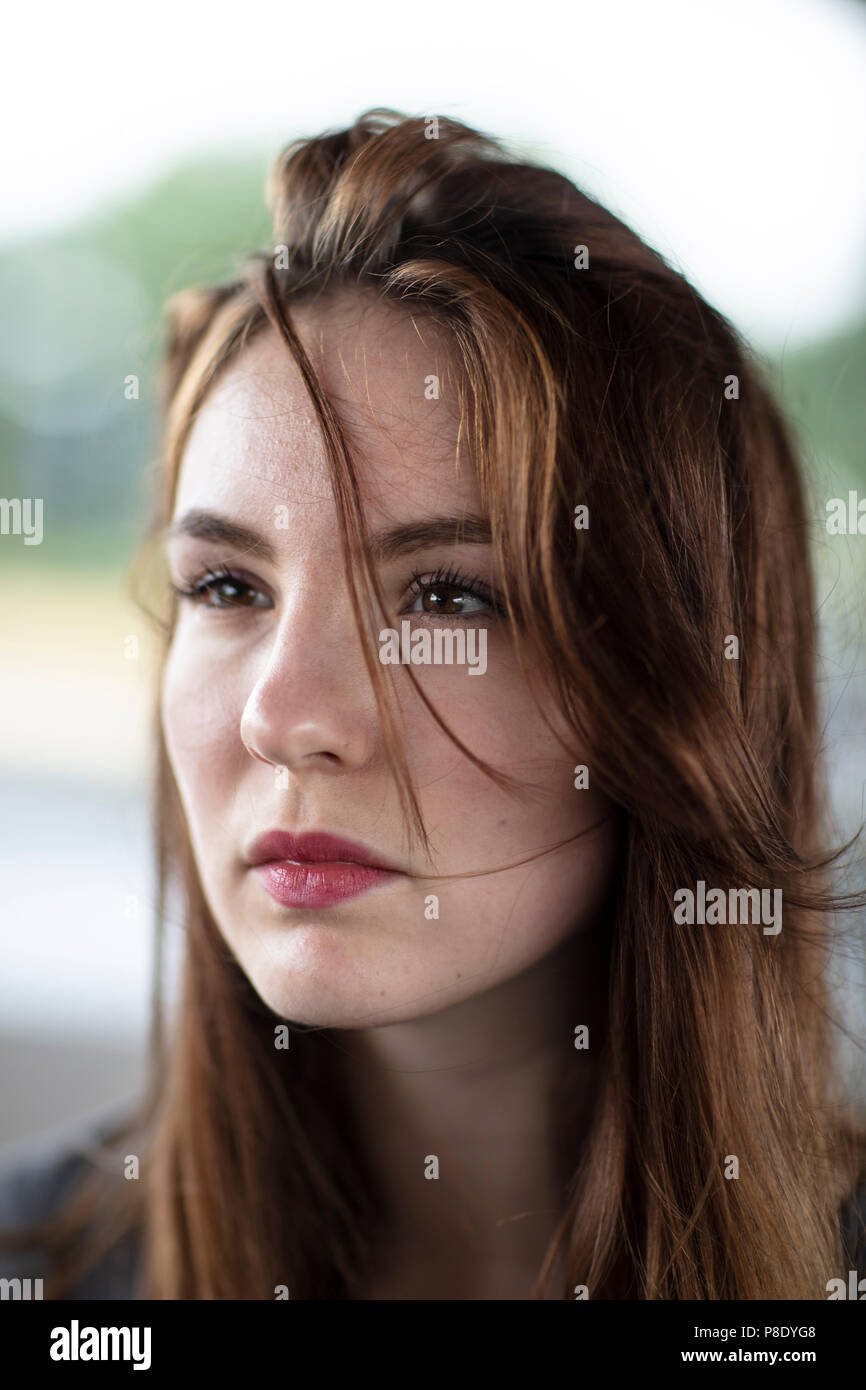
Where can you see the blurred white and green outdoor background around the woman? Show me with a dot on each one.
(732, 137)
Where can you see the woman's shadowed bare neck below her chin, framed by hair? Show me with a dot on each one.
(472, 1120)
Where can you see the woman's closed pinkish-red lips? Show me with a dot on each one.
(315, 871)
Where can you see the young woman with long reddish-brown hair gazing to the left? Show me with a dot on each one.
(489, 776)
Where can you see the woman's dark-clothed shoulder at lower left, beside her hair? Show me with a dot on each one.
(38, 1178)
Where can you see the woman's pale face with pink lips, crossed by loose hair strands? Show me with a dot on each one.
(270, 717)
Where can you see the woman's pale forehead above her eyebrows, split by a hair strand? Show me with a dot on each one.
(258, 430)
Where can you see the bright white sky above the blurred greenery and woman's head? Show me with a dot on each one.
(733, 136)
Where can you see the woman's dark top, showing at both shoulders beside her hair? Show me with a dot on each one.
(37, 1182)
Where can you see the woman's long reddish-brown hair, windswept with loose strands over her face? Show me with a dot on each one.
(591, 375)
